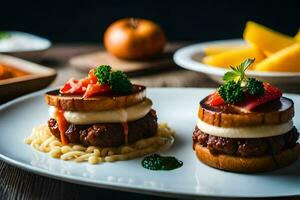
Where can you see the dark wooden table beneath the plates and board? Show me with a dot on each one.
(19, 184)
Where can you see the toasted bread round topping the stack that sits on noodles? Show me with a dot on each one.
(96, 103)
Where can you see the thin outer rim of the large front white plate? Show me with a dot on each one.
(115, 185)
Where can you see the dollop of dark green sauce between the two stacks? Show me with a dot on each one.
(158, 162)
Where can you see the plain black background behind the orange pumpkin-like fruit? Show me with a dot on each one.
(85, 21)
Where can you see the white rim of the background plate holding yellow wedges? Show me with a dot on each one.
(183, 58)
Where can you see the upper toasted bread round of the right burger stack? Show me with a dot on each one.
(276, 112)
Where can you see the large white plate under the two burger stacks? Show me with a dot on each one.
(178, 107)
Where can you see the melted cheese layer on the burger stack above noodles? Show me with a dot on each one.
(119, 115)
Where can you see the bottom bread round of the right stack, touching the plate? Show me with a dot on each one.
(247, 165)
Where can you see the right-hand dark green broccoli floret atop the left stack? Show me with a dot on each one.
(120, 83)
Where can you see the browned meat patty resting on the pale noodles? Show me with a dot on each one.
(108, 134)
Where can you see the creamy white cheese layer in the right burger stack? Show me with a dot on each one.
(246, 132)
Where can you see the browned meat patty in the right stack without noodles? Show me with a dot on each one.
(246, 147)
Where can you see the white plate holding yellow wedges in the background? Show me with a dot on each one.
(190, 57)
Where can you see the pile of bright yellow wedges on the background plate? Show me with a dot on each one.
(273, 51)
